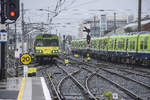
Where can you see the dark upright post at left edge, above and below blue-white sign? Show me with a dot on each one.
(2, 66)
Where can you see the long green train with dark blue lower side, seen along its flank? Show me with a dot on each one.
(133, 48)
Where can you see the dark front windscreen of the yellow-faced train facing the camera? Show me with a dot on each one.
(46, 42)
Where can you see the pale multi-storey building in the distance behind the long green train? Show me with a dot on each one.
(100, 25)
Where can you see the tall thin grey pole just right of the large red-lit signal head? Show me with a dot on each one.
(23, 34)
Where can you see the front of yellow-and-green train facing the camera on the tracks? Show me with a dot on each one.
(46, 47)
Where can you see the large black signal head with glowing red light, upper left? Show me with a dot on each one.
(12, 9)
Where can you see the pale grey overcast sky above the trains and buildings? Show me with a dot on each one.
(78, 10)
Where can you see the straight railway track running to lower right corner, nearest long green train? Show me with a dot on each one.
(132, 87)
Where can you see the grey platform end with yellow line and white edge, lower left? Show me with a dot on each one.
(26, 88)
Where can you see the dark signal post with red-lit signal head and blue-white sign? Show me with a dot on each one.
(9, 10)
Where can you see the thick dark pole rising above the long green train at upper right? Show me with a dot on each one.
(139, 15)
